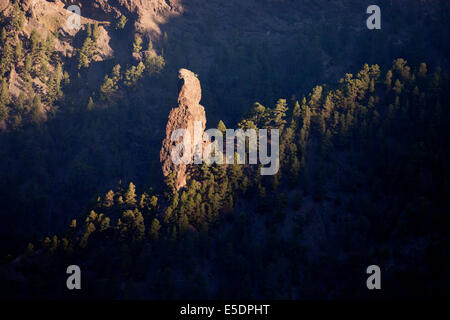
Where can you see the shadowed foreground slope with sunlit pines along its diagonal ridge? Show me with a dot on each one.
(363, 180)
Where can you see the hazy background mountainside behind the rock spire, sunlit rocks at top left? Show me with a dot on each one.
(74, 133)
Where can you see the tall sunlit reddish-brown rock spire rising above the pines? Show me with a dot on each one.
(185, 116)
